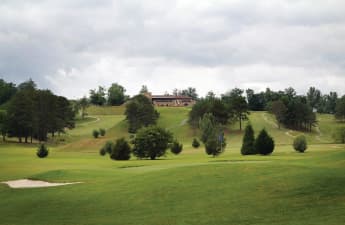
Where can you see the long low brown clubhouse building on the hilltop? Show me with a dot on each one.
(170, 100)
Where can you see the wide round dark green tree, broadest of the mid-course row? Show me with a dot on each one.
(151, 142)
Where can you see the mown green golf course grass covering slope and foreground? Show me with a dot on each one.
(192, 188)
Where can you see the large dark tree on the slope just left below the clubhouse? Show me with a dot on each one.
(140, 113)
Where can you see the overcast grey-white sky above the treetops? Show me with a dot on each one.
(71, 47)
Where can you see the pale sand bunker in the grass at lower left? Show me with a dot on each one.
(26, 183)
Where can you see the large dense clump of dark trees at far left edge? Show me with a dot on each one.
(33, 114)
